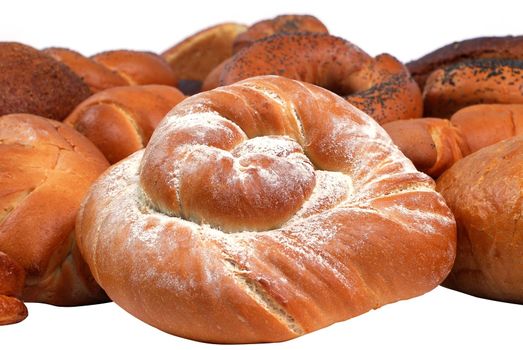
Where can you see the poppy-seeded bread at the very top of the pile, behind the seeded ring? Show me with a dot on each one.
(284, 24)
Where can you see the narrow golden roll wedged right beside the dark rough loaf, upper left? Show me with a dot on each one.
(96, 76)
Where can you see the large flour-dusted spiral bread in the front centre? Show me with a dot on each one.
(261, 211)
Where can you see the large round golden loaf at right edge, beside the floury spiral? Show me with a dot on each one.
(484, 191)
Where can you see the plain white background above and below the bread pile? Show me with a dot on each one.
(441, 319)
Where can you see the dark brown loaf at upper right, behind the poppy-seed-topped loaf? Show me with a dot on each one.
(484, 47)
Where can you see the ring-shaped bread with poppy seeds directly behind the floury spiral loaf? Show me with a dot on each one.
(381, 87)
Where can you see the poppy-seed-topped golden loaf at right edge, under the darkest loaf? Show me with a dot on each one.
(473, 82)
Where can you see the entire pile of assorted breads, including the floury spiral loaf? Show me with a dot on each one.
(267, 180)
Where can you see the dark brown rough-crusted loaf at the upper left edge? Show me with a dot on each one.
(33, 82)
